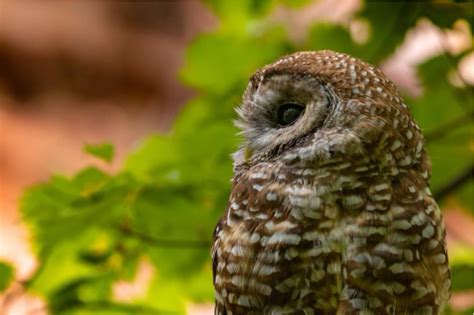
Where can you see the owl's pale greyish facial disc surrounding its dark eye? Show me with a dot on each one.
(280, 110)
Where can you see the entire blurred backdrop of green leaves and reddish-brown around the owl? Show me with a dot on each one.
(116, 134)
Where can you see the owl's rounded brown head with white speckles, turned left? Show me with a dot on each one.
(325, 103)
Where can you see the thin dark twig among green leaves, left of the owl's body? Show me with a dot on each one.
(165, 243)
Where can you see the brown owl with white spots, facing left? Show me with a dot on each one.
(330, 210)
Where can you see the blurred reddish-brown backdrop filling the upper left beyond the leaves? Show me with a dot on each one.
(75, 72)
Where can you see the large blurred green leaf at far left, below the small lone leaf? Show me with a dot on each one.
(69, 207)
